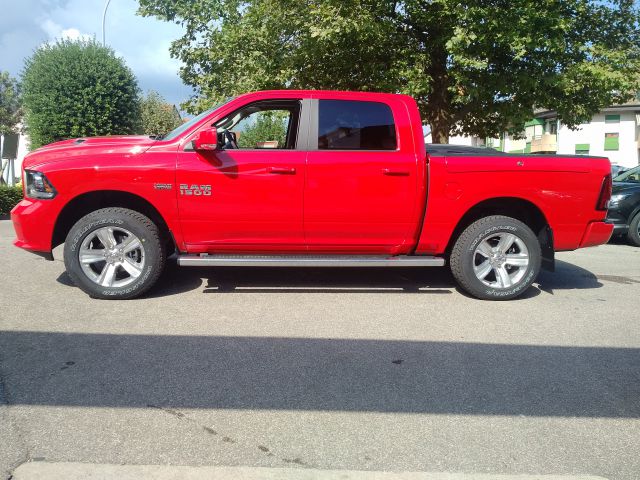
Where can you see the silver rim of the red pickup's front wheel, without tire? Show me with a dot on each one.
(112, 257)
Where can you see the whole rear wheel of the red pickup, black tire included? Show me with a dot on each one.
(465, 256)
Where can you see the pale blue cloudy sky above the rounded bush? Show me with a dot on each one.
(143, 43)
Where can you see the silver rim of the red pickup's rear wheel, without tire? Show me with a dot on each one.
(500, 260)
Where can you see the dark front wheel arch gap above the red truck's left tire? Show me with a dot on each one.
(88, 202)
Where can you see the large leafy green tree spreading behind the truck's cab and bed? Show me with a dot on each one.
(476, 67)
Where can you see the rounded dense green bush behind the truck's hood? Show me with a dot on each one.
(78, 88)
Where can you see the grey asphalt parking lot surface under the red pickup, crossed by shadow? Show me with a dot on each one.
(355, 369)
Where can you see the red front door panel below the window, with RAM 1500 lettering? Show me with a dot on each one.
(255, 202)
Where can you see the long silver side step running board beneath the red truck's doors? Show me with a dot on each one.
(308, 261)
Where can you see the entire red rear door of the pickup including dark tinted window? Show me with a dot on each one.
(362, 178)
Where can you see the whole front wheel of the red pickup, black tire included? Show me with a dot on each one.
(148, 259)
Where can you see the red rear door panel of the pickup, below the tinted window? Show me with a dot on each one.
(359, 201)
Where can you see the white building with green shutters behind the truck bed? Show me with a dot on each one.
(612, 133)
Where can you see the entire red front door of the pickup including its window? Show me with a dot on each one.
(246, 196)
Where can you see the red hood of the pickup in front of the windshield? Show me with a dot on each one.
(89, 146)
